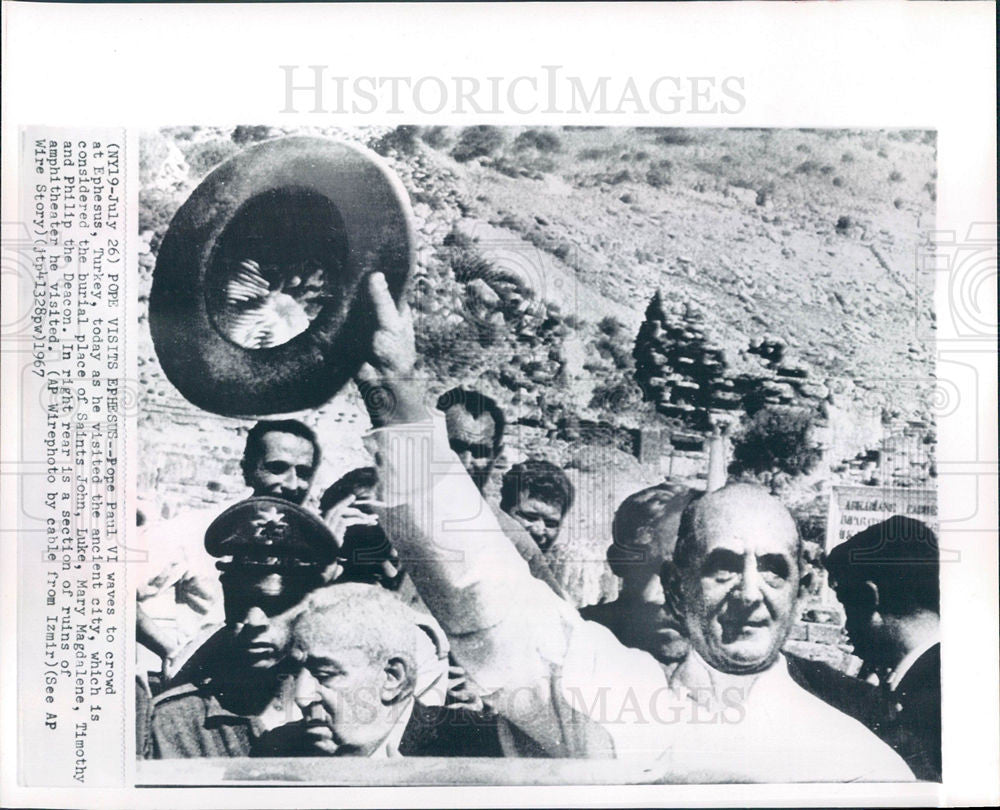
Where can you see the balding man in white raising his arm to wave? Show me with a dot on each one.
(567, 687)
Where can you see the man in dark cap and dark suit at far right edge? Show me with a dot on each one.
(887, 578)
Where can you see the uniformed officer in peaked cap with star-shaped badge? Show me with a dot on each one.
(235, 686)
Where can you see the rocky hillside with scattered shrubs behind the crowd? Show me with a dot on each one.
(539, 251)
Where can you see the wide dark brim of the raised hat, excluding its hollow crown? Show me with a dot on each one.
(221, 376)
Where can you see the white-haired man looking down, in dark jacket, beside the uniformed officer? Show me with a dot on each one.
(355, 652)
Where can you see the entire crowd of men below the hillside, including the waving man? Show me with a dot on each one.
(412, 616)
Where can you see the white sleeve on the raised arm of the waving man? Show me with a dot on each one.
(565, 683)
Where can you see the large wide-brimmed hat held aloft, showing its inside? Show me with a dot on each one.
(258, 303)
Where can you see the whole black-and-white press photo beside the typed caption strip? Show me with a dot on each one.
(537, 455)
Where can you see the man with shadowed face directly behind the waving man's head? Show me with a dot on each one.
(644, 531)
